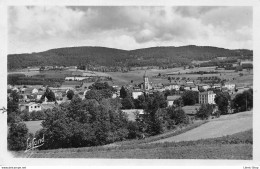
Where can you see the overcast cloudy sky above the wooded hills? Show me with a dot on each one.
(34, 29)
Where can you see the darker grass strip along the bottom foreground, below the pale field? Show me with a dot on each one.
(236, 146)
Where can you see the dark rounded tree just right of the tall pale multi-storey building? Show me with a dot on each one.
(222, 100)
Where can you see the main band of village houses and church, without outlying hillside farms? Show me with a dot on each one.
(30, 96)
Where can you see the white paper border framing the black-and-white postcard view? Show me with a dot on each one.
(5, 159)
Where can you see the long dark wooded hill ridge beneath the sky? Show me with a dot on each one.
(109, 57)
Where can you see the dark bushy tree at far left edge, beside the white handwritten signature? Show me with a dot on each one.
(17, 136)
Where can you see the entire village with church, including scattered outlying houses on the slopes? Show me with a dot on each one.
(31, 96)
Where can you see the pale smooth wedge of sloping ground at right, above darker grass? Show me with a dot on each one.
(225, 125)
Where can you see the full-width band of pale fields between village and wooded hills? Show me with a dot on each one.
(123, 78)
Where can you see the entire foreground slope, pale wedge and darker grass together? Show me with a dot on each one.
(238, 145)
